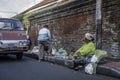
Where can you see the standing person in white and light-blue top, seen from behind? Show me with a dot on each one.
(44, 41)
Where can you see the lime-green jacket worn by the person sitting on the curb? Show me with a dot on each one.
(87, 48)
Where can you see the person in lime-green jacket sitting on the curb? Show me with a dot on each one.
(83, 54)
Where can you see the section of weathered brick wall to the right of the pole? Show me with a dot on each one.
(111, 27)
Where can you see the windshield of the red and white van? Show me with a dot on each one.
(10, 25)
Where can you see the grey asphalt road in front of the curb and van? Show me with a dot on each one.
(30, 69)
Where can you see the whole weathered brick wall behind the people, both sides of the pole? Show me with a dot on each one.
(69, 23)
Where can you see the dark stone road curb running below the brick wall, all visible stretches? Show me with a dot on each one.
(104, 70)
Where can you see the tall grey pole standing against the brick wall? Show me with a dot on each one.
(98, 24)
